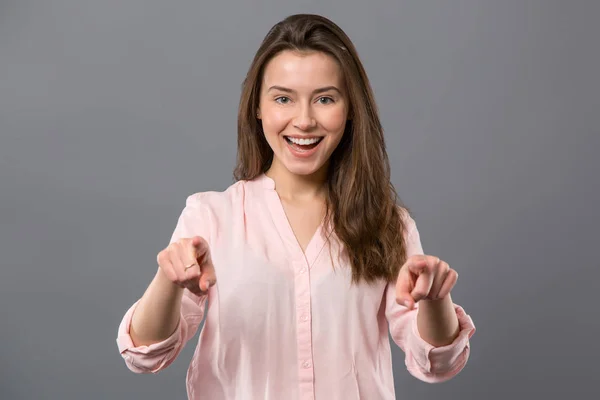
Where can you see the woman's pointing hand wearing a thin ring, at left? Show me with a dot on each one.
(187, 263)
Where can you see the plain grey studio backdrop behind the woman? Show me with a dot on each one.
(112, 112)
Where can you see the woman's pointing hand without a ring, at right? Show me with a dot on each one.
(424, 277)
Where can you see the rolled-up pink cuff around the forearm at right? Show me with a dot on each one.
(444, 360)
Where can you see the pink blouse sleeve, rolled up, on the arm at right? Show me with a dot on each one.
(424, 361)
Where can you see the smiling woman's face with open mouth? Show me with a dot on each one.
(303, 108)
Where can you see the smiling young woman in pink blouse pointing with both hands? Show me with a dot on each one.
(306, 264)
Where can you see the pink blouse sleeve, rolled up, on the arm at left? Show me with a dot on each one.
(194, 220)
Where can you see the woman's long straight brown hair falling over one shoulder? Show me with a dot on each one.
(362, 203)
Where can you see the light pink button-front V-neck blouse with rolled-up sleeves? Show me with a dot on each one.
(286, 324)
